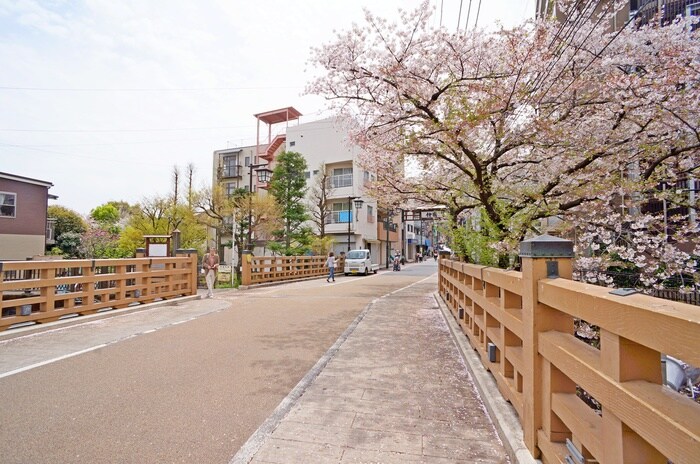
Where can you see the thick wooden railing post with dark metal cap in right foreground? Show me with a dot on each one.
(542, 257)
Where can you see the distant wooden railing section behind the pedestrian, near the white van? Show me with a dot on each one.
(263, 269)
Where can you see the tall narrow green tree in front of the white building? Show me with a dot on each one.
(288, 187)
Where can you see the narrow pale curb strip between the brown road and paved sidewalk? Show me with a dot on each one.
(253, 444)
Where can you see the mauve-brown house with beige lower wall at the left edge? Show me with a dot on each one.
(24, 225)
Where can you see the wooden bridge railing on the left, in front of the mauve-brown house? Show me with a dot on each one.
(45, 291)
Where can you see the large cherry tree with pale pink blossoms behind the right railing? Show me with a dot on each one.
(548, 119)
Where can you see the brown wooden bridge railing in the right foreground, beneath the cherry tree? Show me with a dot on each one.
(522, 326)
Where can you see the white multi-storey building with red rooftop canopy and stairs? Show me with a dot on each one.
(354, 220)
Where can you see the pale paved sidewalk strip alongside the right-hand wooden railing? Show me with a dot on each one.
(393, 389)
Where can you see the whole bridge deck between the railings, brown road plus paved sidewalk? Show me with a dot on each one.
(193, 382)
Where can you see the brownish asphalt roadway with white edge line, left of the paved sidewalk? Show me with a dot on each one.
(187, 384)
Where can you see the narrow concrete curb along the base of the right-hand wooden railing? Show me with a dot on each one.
(503, 415)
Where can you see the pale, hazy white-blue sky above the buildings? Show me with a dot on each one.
(102, 98)
